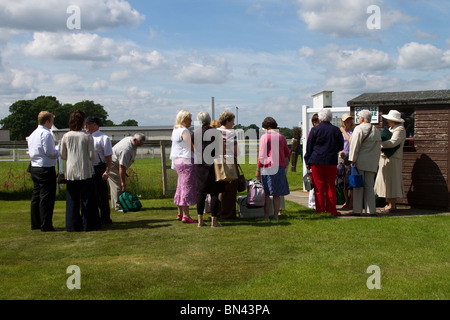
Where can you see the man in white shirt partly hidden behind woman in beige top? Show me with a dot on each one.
(102, 166)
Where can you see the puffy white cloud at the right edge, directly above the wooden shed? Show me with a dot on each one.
(418, 56)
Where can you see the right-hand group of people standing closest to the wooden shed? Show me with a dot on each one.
(332, 153)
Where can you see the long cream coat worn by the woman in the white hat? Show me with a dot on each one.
(389, 181)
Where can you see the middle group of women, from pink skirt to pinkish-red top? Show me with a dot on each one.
(192, 156)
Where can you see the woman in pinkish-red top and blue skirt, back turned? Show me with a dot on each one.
(272, 162)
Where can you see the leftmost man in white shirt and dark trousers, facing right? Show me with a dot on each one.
(43, 154)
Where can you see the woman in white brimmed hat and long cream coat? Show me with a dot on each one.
(389, 181)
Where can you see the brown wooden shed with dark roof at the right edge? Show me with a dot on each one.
(426, 161)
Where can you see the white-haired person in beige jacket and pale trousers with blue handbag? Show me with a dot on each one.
(363, 155)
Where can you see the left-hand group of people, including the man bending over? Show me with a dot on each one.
(91, 162)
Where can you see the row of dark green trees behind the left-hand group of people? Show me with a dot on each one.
(23, 115)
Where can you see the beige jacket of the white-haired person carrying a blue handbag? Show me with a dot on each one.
(365, 153)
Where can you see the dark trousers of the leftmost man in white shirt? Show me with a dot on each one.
(43, 197)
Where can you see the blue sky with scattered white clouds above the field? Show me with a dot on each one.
(145, 60)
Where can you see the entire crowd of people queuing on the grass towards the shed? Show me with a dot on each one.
(92, 162)
